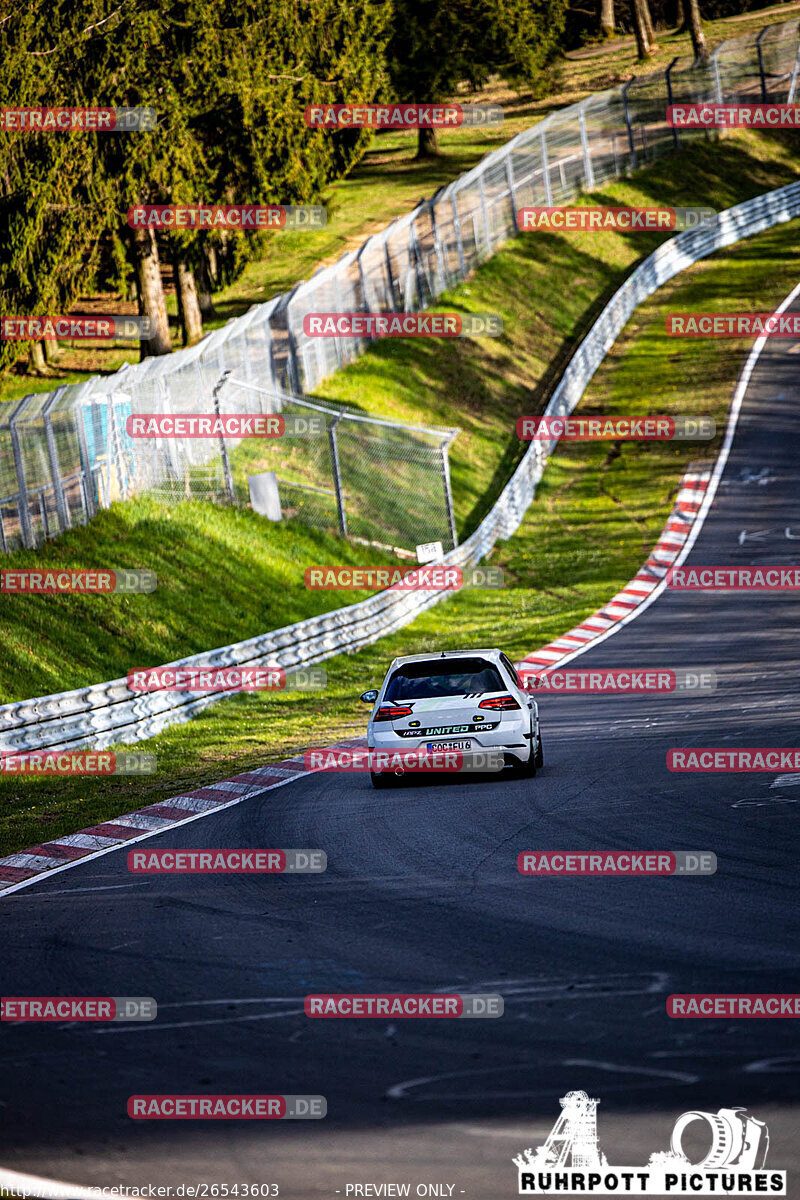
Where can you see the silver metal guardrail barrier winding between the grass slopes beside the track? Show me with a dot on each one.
(109, 713)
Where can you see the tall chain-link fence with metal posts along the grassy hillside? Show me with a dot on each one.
(65, 454)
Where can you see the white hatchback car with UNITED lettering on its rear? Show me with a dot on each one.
(456, 700)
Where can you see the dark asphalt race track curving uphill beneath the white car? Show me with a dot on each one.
(423, 893)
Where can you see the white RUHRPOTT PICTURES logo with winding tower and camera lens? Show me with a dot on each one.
(572, 1163)
